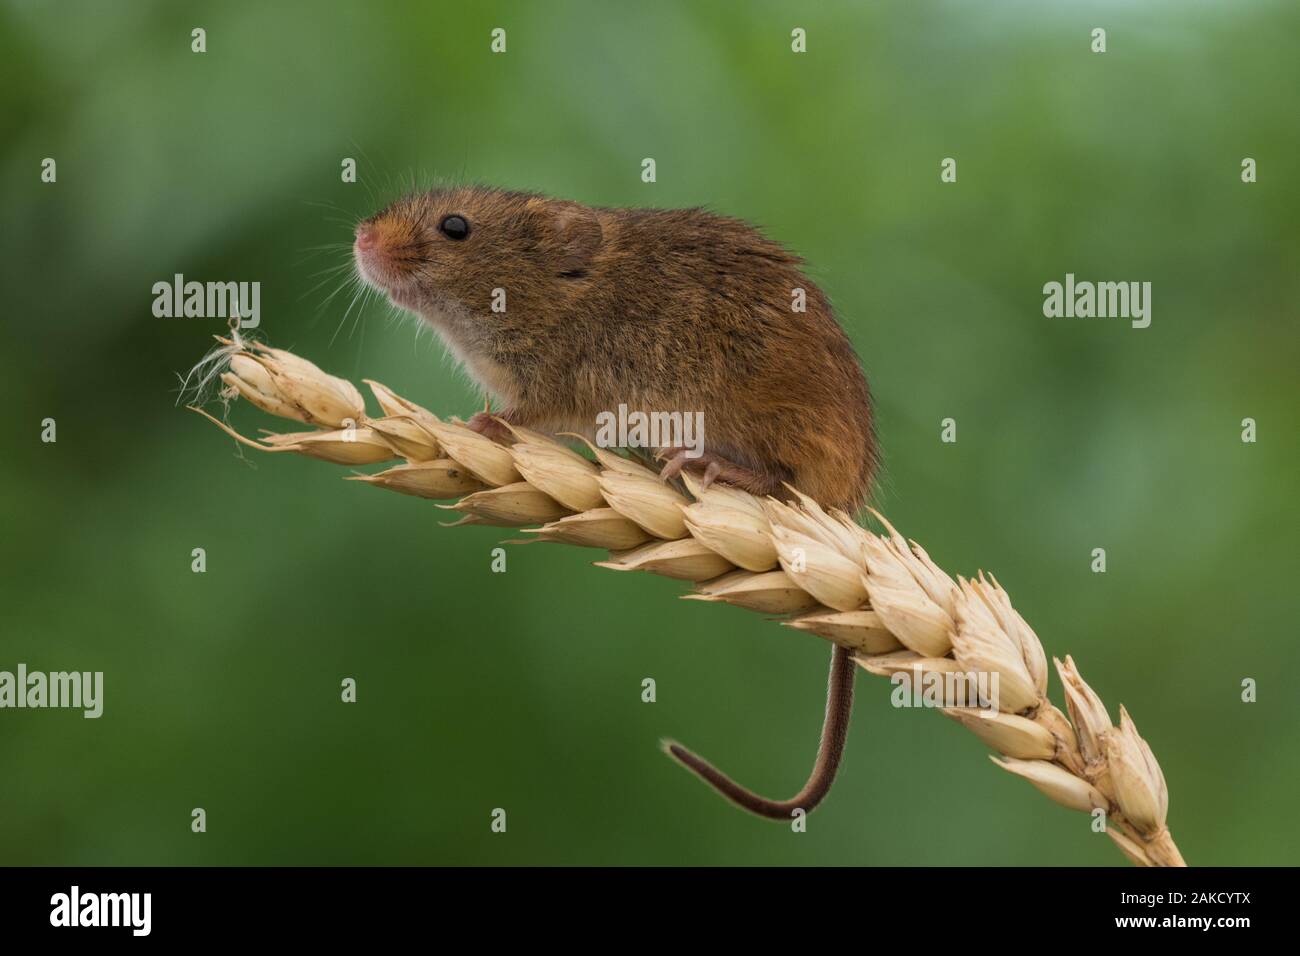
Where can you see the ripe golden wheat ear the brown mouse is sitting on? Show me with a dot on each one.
(877, 595)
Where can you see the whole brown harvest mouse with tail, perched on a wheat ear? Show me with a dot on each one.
(660, 310)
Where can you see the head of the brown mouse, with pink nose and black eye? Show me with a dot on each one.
(450, 249)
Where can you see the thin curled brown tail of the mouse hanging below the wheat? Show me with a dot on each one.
(835, 730)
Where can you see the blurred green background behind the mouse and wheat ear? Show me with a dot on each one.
(522, 691)
